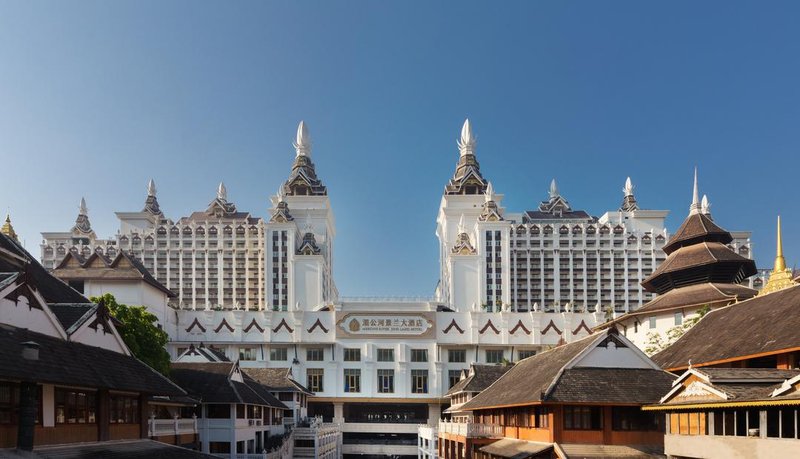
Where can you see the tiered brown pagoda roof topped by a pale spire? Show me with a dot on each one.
(698, 258)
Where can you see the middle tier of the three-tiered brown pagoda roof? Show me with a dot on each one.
(701, 262)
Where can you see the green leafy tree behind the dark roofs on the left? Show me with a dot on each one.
(140, 333)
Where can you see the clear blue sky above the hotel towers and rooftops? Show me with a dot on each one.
(98, 97)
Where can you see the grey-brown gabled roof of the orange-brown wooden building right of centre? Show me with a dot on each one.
(552, 376)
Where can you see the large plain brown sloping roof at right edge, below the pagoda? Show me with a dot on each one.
(761, 325)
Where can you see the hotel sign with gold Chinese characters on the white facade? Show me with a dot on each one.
(356, 325)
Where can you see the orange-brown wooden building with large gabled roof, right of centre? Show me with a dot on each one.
(583, 396)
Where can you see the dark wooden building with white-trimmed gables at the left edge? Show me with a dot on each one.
(66, 376)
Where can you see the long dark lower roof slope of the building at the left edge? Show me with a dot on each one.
(76, 364)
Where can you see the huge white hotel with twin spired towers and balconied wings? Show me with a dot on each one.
(262, 290)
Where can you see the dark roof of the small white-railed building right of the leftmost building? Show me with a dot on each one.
(212, 383)
